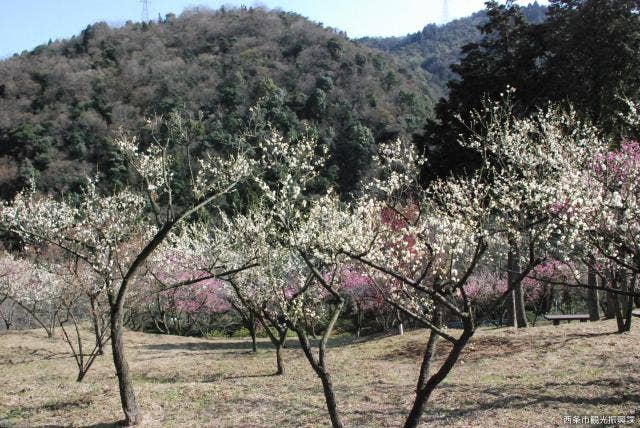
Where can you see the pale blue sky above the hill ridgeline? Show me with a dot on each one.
(25, 24)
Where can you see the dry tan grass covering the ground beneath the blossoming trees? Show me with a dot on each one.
(505, 378)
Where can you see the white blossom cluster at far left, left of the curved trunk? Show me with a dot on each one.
(102, 231)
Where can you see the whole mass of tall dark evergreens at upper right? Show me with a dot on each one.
(585, 54)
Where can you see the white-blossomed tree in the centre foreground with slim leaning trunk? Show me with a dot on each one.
(300, 272)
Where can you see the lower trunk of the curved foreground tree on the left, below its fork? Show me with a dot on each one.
(125, 382)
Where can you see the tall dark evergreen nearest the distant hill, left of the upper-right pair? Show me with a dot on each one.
(507, 55)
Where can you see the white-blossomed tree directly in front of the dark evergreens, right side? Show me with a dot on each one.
(537, 167)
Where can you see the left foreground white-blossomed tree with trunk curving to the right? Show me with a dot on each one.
(112, 233)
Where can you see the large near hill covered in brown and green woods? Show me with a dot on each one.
(61, 102)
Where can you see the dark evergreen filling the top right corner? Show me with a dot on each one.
(593, 56)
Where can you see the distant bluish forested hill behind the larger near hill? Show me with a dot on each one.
(435, 48)
